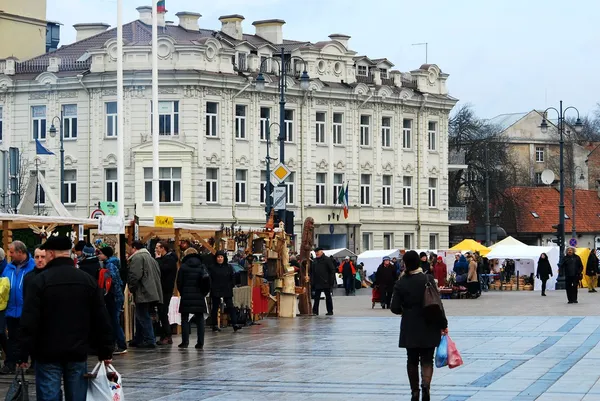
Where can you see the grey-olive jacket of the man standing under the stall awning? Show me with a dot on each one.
(144, 278)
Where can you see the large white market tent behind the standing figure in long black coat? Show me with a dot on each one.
(526, 260)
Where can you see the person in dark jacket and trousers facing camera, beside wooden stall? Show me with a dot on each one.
(222, 283)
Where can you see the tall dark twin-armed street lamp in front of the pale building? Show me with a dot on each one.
(284, 66)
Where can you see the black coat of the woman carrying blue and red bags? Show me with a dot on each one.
(415, 331)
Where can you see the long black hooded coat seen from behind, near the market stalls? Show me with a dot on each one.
(193, 283)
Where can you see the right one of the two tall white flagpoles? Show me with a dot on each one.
(155, 130)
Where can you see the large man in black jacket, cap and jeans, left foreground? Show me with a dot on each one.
(63, 316)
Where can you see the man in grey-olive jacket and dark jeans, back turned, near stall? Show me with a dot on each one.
(144, 283)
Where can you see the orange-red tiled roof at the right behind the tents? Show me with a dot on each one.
(544, 201)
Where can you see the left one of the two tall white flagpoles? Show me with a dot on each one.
(120, 126)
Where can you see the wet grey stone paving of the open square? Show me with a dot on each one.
(357, 357)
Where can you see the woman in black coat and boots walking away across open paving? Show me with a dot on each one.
(419, 333)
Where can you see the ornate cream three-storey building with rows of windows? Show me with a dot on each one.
(361, 122)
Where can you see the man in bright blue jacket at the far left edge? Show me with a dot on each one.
(21, 264)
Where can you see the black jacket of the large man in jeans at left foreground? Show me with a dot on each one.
(64, 316)
